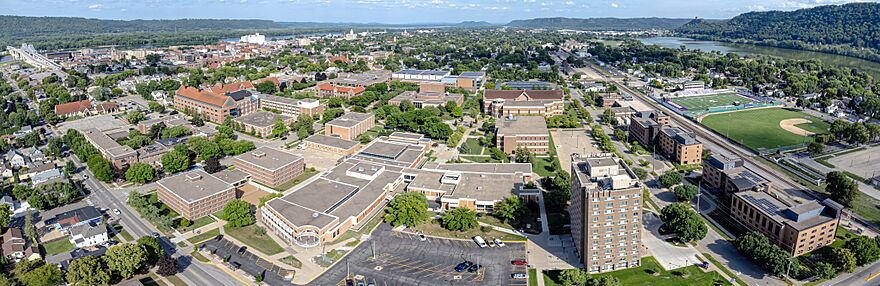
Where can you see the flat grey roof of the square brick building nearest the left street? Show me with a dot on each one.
(194, 185)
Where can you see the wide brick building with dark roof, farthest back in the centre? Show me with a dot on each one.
(500, 103)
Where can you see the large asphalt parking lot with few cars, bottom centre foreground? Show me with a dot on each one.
(392, 258)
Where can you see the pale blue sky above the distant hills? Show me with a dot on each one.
(398, 11)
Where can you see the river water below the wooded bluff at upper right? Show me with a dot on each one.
(869, 67)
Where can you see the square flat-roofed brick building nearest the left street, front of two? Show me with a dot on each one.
(195, 194)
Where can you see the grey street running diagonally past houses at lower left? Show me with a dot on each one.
(192, 272)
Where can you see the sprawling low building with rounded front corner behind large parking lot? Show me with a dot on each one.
(345, 197)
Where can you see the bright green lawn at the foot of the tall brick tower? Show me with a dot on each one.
(650, 273)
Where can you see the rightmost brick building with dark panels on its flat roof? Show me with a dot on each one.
(798, 229)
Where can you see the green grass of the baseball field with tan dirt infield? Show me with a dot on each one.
(759, 129)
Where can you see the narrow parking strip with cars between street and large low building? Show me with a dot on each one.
(247, 261)
